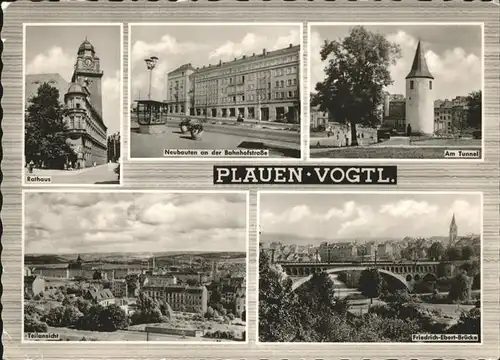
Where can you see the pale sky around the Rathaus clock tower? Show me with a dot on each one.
(53, 49)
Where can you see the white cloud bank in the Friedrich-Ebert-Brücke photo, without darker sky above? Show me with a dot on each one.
(352, 219)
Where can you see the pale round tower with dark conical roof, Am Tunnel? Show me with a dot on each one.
(420, 96)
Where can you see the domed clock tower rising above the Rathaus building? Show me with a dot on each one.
(88, 74)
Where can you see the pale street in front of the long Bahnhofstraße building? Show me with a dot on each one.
(279, 143)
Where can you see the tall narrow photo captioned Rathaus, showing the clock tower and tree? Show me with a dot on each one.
(72, 104)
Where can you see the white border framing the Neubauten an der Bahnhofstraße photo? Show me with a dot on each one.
(303, 122)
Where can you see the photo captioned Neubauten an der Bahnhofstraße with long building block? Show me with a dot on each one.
(239, 90)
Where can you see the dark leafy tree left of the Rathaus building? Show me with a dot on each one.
(45, 131)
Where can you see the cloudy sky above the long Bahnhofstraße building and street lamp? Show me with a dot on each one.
(199, 45)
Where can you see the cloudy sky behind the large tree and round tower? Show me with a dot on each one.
(453, 54)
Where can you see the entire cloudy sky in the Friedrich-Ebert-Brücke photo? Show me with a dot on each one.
(364, 216)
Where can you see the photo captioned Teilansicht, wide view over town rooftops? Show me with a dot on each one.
(135, 266)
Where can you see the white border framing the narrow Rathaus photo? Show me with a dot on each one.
(23, 170)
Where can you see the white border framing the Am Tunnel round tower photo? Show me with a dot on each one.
(400, 160)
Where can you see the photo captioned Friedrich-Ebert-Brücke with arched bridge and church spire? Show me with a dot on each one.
(384, 267)
